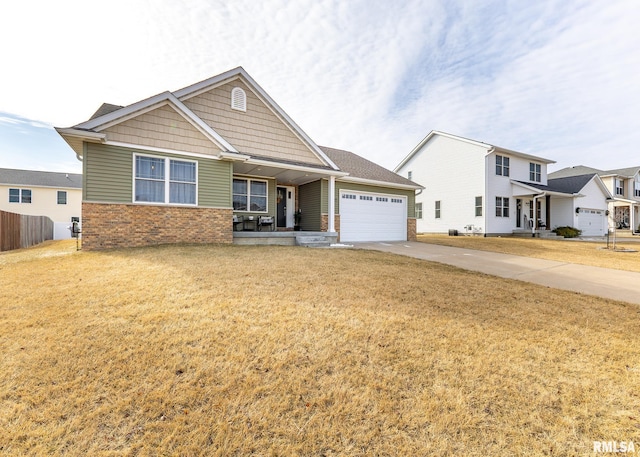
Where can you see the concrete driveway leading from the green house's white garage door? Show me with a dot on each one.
(602, 282)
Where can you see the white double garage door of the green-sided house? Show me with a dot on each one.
(372, 217)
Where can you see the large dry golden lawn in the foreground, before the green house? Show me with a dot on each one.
(234, 350)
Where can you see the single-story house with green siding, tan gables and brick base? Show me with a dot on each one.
(197, 164)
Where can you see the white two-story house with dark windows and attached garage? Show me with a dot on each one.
(475, 187)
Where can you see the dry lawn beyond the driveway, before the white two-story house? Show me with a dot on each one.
(571, 251)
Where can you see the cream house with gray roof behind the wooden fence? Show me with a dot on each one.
(43, 193)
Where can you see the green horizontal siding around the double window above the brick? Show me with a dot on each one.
(108, 176)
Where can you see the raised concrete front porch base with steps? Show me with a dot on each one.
(286, 238)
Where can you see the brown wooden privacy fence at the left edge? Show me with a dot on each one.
(20, 231)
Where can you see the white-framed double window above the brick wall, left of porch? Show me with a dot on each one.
(164, 180)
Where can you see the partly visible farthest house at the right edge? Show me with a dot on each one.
(624, 186)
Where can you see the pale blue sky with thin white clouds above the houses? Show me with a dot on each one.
(556, 79)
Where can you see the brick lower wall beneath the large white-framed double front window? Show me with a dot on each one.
(106, 225)
